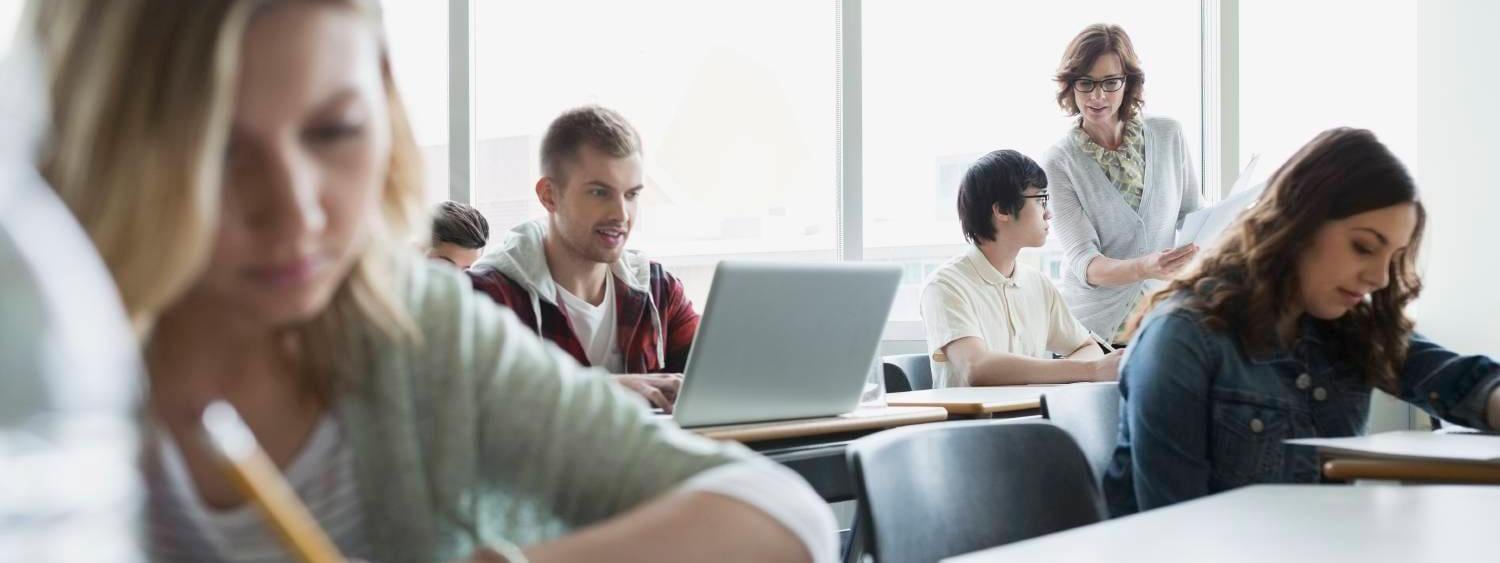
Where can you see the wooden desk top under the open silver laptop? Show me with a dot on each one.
(863, 420)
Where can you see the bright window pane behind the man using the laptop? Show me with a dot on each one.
(736, 106)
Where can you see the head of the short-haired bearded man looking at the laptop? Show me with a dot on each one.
(592, 182)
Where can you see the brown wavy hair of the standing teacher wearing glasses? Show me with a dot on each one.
(1087, 49)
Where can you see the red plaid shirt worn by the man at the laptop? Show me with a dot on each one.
(637, 330)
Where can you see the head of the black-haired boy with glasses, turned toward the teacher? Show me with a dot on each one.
(1004, 197)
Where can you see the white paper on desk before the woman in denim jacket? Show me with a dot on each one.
(1414, 445)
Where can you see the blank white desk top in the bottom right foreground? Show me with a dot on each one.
(1285, 523)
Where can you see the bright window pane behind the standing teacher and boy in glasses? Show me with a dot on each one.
(950, 80)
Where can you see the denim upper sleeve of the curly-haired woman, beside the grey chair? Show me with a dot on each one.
(1166, 382)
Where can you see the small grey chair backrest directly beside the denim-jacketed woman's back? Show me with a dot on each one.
(1091, 414)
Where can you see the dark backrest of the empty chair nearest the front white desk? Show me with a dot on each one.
(941, 490)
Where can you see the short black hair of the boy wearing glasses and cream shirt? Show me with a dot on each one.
(997, 181)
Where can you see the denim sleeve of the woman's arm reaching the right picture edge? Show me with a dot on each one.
(1451, 387)
